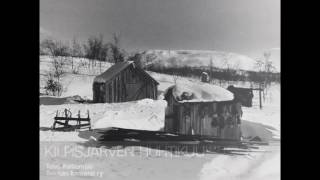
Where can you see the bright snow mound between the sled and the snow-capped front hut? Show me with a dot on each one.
(146, 114)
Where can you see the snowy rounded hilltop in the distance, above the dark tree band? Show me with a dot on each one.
(197, 58)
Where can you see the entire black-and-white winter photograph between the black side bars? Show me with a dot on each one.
(159, 89)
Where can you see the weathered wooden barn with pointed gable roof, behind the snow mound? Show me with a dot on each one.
(123, 82)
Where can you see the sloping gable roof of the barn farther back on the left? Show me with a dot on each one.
(116, 69)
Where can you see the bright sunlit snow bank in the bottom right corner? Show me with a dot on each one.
(262, 166)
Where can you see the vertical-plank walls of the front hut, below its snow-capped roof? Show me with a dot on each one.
(217, 119)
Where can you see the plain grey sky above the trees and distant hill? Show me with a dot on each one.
(248, 27)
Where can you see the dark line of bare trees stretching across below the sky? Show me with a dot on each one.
(94, 48)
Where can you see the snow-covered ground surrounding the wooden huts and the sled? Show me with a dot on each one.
(137, 162)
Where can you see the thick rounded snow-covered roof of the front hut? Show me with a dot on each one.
(199, 92)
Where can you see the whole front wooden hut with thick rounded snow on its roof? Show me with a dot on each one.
(202, 109)
